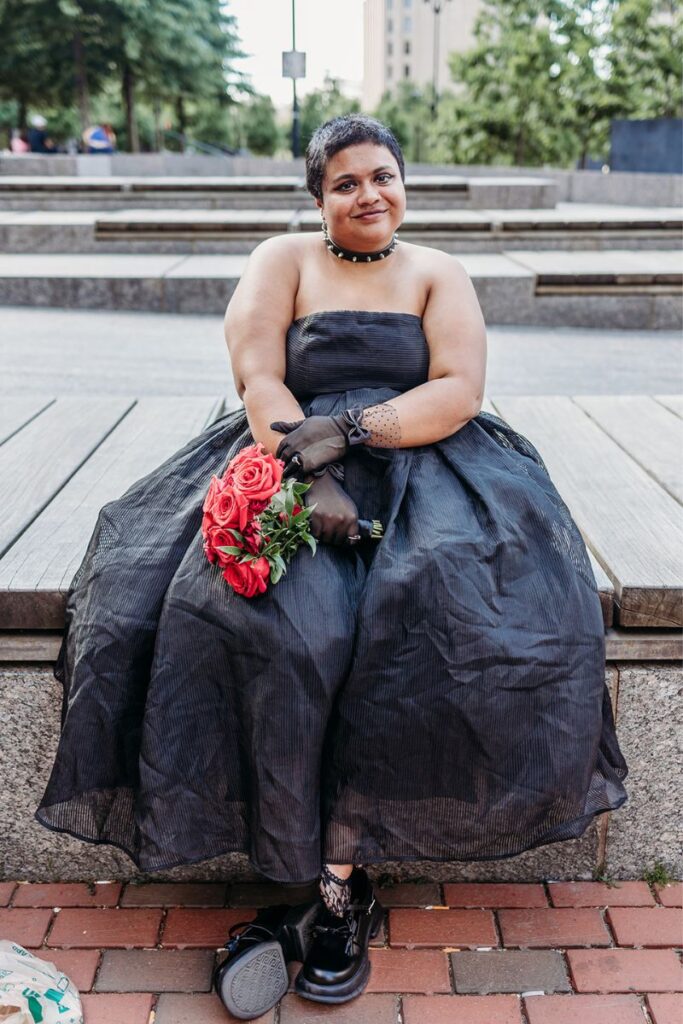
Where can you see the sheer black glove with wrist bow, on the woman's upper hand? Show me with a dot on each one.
(319, 441)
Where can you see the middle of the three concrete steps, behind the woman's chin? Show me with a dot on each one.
(570, 227)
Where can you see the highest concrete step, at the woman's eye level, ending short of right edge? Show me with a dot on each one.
(75, 193)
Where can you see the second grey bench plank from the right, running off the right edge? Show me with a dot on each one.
(652, 435)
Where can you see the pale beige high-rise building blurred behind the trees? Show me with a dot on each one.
(399, 42)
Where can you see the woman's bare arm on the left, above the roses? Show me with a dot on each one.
(257, 322)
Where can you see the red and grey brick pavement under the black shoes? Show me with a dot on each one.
(557, 953)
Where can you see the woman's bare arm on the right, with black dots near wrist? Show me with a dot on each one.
(457, 336)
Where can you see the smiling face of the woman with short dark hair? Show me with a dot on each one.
(364, 198)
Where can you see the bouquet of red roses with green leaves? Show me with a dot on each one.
(254, 521)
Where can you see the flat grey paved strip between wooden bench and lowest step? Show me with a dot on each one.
(61, 352)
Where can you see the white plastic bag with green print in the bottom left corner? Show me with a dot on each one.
(40, 994)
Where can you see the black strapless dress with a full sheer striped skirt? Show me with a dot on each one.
(438, 696)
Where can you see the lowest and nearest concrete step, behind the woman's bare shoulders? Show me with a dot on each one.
(617, 289)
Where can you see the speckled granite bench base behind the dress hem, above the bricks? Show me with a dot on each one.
(626, 842)
